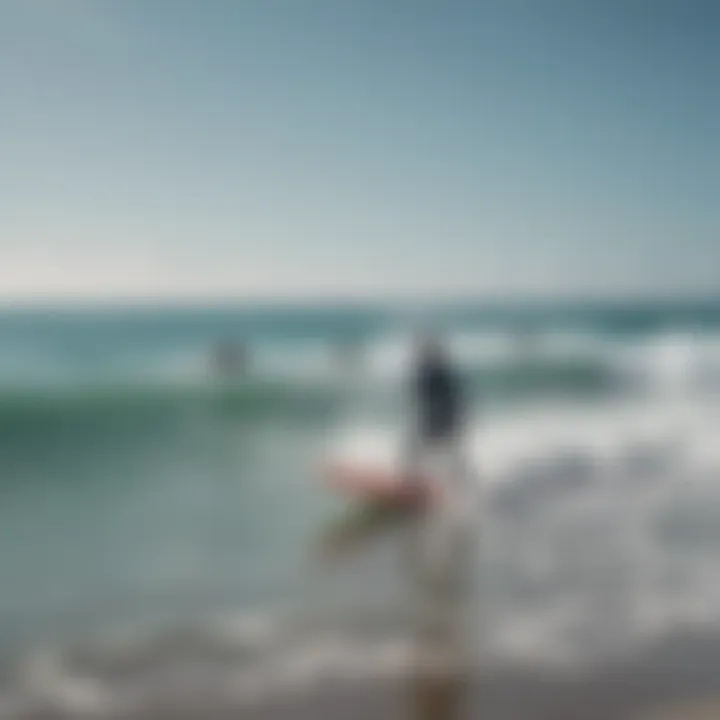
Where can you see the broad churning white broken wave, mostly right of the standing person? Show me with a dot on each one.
(601, 525)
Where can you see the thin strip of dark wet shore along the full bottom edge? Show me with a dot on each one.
(673, 679)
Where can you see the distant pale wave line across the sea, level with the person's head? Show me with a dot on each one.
(385, 355)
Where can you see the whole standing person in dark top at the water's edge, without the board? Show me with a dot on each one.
(441, 550)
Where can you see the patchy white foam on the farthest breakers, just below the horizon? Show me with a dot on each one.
(669, 362)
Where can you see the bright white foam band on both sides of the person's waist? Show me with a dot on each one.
(605, 435)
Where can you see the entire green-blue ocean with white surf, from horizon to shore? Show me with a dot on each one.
(165, 533)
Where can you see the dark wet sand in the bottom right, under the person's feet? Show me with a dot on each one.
(676, 679)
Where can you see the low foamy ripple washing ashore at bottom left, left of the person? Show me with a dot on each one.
(195, 669)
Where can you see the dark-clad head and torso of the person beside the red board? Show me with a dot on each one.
(437, 396)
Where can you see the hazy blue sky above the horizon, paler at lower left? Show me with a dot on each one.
(329, 148)
